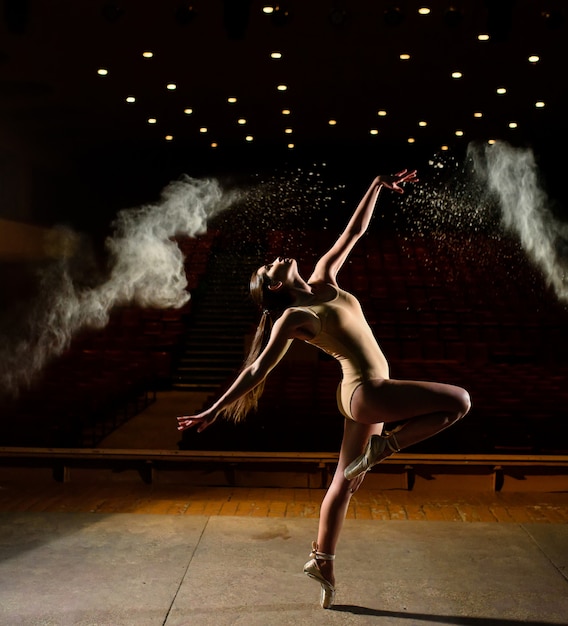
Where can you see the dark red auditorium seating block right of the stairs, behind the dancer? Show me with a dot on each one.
(467, 310)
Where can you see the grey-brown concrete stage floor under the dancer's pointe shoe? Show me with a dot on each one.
(78, 569)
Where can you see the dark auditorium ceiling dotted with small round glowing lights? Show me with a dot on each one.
(340, 61)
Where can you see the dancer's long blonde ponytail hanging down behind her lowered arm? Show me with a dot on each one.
(272, 305)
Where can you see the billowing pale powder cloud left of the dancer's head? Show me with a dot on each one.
(145, 268)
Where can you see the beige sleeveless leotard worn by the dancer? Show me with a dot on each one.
(345, 334)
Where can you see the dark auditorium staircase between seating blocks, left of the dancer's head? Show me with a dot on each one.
(222, 317)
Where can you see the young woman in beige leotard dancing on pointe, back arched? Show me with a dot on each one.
(320, 312)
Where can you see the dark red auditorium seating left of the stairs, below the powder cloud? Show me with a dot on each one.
(107, 375)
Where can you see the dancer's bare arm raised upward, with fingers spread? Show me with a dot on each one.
(331, 262)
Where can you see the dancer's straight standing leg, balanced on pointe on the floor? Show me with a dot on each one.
(336, 501)
